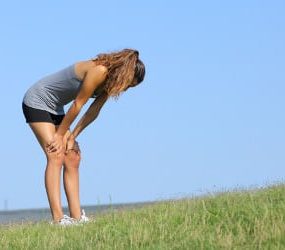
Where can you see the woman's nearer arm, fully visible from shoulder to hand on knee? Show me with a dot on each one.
(94, 77)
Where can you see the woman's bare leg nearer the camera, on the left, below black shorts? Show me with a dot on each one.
(44, 132)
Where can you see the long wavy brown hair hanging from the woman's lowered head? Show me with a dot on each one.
(123, 66)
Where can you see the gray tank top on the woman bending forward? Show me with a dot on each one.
(53, 91)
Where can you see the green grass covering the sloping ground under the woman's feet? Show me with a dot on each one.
(240, 219)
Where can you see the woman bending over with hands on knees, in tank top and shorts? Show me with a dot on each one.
(104, 76)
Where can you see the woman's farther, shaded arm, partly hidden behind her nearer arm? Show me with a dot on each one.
(90, 115)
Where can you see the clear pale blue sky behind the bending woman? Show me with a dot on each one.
(209, 115)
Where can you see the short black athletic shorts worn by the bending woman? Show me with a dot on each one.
(38, 115)
